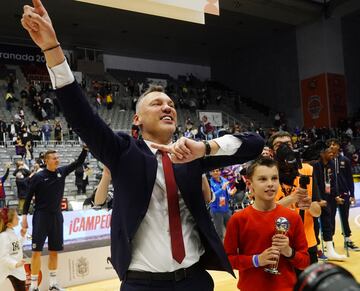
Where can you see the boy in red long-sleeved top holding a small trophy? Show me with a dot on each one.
(251, 243)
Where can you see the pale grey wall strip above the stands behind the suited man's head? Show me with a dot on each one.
(155, 66)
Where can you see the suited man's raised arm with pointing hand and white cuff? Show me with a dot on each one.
(100, 139)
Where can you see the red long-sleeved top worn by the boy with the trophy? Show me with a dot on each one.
(249, 232)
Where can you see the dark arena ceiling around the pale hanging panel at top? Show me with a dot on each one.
(240, 24)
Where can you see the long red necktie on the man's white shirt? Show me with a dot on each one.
(177, 242)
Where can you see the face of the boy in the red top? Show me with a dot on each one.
(264, 183)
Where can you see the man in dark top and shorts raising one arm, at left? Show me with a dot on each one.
(48, 188)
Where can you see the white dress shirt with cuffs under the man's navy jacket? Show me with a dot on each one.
(151, 245)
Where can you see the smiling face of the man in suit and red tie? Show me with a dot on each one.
(156, 115)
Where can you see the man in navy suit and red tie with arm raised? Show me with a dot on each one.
(162, 237)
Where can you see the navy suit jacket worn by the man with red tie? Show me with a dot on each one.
(133, 169)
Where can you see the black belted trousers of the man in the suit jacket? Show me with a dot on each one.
(201, 281)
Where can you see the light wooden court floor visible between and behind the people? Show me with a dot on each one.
(225, 282)
